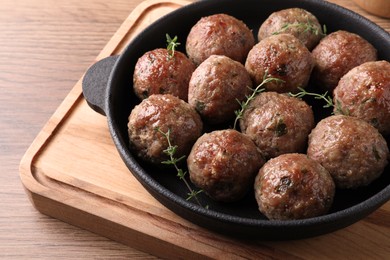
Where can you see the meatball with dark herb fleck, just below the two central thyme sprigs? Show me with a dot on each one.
(277, 123)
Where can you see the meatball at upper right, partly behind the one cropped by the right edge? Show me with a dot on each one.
(336, 54)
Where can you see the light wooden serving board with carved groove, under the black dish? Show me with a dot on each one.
(73, 172)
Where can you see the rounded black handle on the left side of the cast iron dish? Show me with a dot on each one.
(95, 83)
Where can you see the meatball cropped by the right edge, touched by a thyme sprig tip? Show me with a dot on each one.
(364, 92)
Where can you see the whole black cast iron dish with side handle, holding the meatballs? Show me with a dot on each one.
(108, 90)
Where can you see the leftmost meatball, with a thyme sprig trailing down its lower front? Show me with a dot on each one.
(162, 113)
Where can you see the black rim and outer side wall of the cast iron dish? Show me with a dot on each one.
(217, 221)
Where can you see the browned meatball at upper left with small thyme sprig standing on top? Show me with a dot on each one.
(157, 73)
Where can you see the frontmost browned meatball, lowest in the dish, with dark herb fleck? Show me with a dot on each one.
(293, 186)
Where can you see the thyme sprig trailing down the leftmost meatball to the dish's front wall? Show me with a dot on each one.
(171, 151)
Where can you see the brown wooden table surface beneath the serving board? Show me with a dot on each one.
(45, 48)
